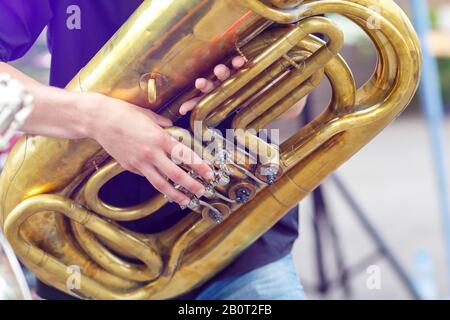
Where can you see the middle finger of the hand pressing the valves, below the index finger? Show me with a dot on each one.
(179, 176)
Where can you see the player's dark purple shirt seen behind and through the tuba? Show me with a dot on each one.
(21, 22)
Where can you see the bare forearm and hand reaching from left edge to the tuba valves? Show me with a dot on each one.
(131, 135)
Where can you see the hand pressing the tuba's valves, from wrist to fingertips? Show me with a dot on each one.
(136, 139)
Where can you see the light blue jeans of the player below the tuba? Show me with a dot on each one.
(275, 281)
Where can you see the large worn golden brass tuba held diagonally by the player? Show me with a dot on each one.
(51, 211)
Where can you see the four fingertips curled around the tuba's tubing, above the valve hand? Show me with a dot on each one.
(205, 86)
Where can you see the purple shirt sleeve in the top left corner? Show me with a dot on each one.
(21, 22)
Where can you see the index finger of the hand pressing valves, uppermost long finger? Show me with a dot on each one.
(180, 153)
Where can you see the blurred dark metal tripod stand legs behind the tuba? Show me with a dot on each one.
(325, 232)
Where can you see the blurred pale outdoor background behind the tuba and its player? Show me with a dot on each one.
(394, 181)
